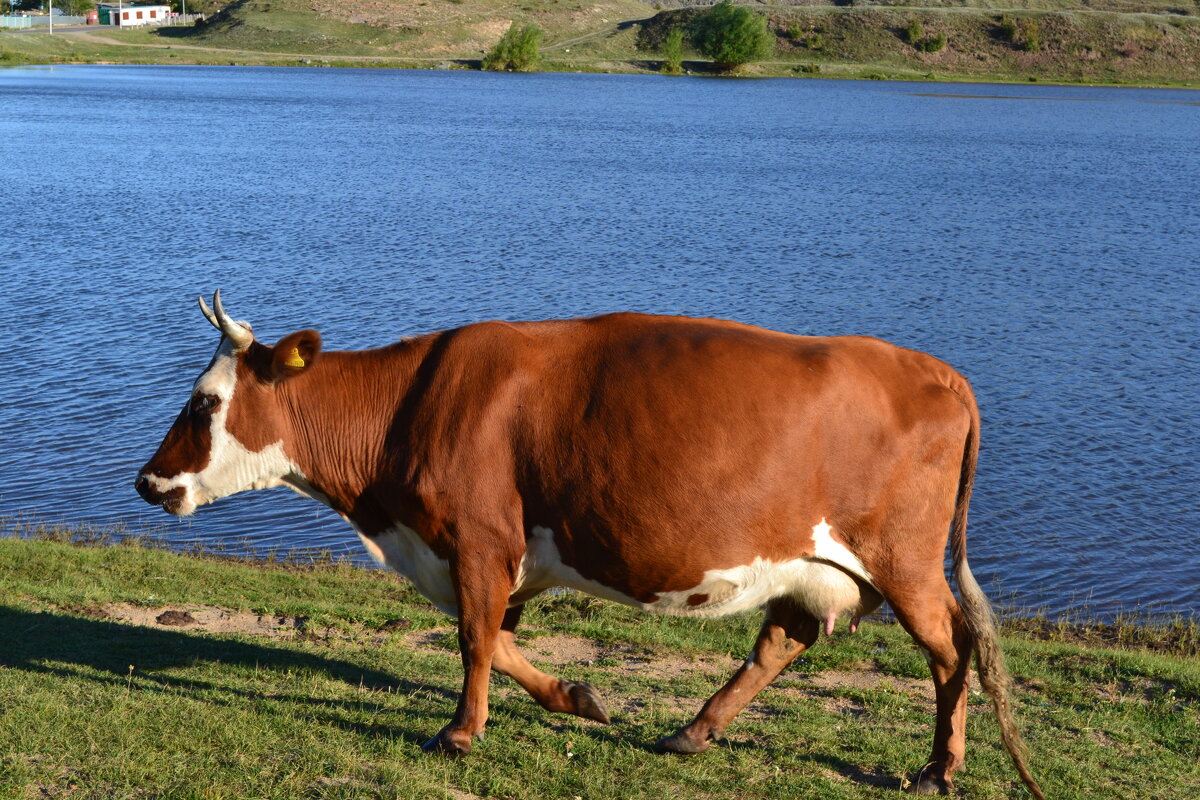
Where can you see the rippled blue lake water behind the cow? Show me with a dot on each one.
(1045, 240)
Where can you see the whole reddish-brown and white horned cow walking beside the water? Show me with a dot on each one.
(691, 467)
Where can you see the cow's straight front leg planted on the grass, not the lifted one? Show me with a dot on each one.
(483, 588)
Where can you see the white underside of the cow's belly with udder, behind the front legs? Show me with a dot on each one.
(823, 584)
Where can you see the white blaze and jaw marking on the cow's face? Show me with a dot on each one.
(232, 468)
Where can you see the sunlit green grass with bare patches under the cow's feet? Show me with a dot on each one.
(130, 672)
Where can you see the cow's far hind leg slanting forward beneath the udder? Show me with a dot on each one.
(787, 633)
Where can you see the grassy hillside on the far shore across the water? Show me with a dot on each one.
(1113, 43)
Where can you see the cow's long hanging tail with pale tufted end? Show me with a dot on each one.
(977, 611)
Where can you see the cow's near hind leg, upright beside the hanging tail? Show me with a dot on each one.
(932, 616)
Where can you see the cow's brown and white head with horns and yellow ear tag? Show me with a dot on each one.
(232, 434)
